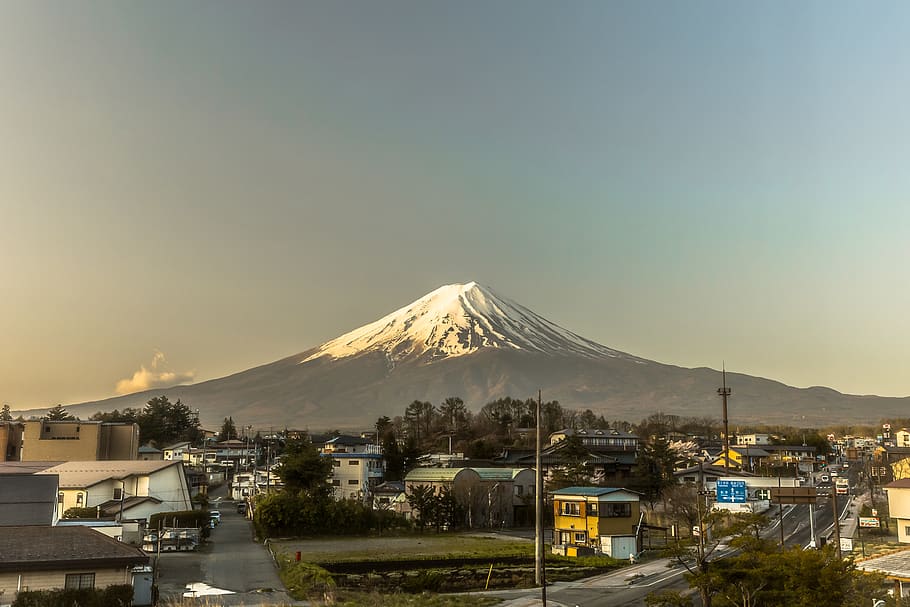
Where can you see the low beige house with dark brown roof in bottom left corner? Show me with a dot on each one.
(46, 558)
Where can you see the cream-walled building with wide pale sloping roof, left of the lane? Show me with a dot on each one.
(127, 489)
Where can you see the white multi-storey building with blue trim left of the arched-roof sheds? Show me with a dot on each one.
(357, 466)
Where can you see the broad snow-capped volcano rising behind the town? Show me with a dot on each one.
(465, 340)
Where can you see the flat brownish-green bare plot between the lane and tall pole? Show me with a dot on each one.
(405, 548)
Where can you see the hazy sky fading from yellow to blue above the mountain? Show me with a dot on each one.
(198, 188)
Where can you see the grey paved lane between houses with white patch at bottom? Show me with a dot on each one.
(230, 561)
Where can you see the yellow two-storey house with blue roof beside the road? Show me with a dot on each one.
(585, 515)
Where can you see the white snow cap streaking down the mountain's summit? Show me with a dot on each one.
(459, 319)
